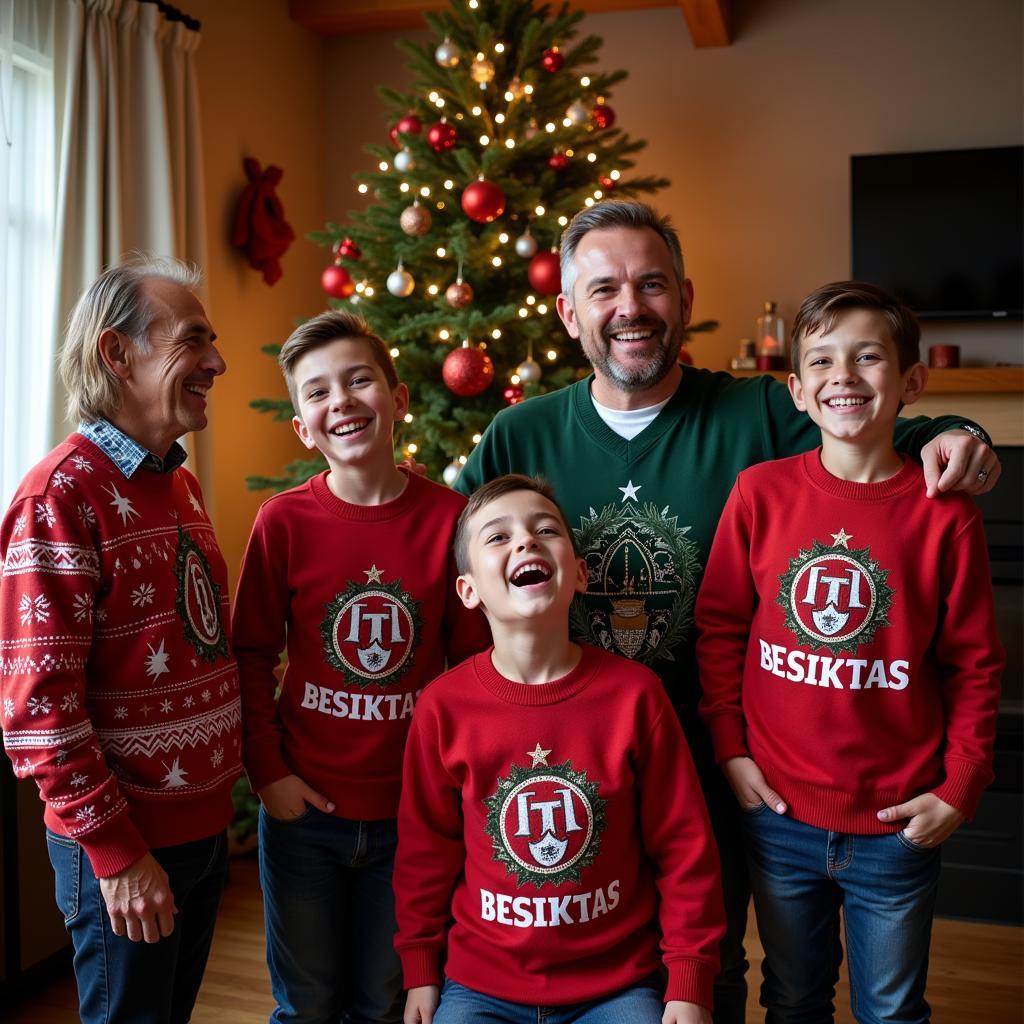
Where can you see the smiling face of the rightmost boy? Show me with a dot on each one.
(850, 382)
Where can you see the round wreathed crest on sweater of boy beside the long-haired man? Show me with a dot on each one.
(371, 631)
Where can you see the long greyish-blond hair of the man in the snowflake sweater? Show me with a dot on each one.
(114, 302)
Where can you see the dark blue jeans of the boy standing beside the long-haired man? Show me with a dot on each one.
(330, 919)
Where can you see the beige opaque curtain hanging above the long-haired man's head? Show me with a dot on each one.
(131, 169)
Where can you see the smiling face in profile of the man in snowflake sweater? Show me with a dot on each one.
(165, 387)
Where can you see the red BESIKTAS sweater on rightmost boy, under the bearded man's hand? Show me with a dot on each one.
(848, 643)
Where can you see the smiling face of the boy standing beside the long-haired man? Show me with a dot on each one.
(347, 408)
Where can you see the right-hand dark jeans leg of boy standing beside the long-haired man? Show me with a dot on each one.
(374, 986)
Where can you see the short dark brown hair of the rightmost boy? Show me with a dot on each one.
(820, 312)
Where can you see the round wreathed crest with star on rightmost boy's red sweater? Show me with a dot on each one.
(834, 596)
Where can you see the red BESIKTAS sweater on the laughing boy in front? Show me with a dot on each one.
(553, 837)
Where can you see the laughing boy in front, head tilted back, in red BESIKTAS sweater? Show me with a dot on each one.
(552, 831)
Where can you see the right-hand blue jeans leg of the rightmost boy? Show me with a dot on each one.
(889, 887)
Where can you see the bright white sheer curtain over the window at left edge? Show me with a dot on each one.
(27, 200)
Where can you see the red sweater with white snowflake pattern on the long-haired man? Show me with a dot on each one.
(120, 692)
